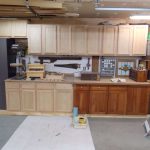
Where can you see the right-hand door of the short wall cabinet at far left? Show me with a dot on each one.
(19, 28)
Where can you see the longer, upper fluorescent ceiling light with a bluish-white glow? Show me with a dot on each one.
(121, 9)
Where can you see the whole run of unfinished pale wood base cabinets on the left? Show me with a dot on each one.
(39, 97)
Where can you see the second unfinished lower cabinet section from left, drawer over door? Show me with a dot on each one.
(28, 97)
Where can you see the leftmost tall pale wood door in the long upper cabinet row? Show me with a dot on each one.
(34, 33)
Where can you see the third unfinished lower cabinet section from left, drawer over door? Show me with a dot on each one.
(45, 97)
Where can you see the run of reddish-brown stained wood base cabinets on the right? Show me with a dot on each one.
(94, 99)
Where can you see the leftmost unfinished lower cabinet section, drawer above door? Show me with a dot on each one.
(12, 96)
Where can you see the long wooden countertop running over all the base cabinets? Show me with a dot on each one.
(73, 80)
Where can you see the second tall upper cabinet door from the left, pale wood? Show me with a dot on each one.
(49, 39)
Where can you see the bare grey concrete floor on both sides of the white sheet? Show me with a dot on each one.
(107, 133)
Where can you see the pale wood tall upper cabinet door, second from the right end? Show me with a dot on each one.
(125, 40)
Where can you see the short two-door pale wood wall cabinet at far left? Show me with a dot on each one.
(13, 28)
